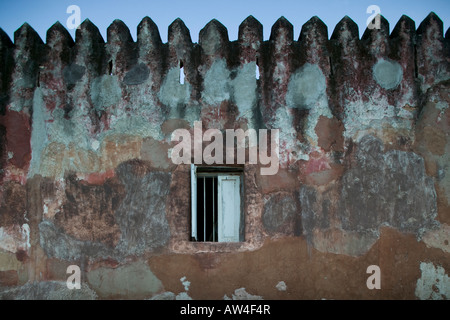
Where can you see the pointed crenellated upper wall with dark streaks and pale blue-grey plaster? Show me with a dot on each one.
(92, 87)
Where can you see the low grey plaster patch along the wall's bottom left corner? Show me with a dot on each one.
(48, 290)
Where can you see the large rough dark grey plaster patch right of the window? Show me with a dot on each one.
(387, 188)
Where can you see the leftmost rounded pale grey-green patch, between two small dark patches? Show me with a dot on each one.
(105, 92)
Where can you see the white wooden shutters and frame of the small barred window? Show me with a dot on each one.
(229, 206)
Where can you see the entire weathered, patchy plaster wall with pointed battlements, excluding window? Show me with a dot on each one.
(86, 176)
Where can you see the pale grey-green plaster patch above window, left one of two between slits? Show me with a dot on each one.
(217, 83)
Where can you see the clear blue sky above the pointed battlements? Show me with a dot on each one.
(41, 14)
